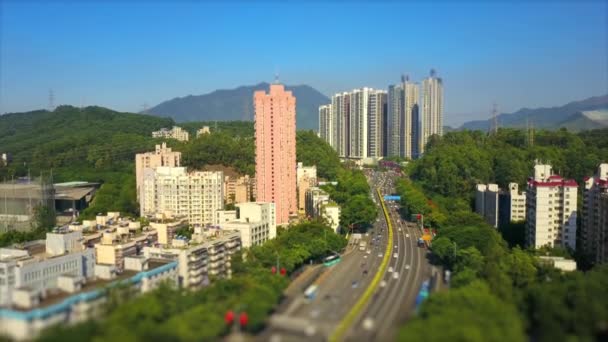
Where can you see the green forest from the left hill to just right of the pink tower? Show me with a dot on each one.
(98, 144)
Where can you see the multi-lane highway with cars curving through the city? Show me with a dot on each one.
(368, 294)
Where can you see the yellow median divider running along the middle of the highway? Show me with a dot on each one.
(350, 317)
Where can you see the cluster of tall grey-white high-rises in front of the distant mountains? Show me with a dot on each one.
(371, 123)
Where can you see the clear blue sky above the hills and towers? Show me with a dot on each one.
(124, 54)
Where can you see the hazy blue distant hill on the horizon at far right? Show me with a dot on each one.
(578, 115)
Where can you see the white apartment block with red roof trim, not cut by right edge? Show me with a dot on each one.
(551, 209)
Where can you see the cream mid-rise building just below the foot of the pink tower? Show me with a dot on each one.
(255, 221)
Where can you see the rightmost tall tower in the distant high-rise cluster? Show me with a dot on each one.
(432, 109)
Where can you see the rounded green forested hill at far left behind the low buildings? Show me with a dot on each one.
(69, 137)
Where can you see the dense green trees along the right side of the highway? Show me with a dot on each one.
(500, 291)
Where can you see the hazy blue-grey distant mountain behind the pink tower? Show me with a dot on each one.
(237, 104)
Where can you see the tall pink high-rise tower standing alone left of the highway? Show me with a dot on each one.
(275, 150)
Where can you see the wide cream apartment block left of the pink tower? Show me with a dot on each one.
(194, 195)
